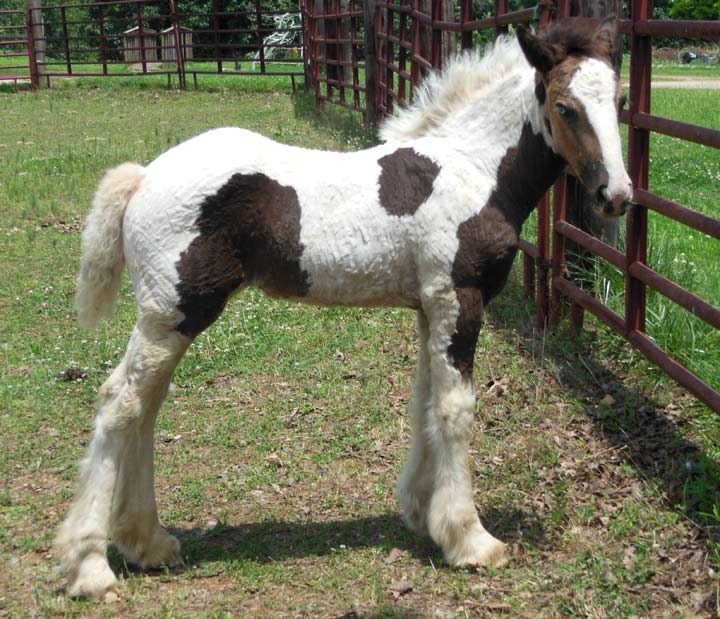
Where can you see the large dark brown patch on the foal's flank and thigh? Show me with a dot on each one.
(249, 234)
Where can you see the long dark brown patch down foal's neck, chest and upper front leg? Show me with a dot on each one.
(488, 241)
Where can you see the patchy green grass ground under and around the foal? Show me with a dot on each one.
(278, 447)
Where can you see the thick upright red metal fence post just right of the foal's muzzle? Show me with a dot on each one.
(638, 156)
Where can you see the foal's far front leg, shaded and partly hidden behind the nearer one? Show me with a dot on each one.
(415, 482)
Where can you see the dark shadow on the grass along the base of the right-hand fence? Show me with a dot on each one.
(647, 432)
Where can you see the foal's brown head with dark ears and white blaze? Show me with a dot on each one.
(581, 97)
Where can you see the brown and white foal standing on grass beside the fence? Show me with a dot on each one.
(429, 220)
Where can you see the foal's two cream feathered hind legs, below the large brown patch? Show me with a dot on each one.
(117, 472)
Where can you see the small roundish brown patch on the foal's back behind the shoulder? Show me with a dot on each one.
(406, 181)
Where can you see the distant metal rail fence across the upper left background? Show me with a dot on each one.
(150, 37)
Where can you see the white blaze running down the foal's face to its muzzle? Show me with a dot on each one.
(594, 85)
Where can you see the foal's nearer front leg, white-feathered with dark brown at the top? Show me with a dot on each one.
(452, 520)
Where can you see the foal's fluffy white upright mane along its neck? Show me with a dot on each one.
(462, 82)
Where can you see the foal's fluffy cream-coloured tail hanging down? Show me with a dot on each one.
(102, 258)
